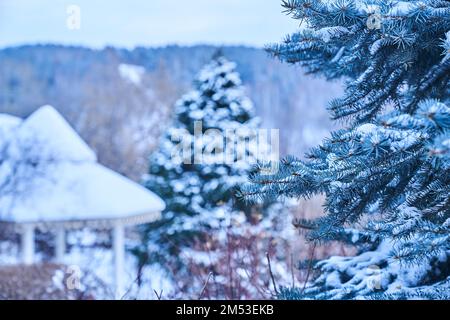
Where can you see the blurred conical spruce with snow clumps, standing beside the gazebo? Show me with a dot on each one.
(200, 190)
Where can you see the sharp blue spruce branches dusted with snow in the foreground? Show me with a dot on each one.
(386, 177)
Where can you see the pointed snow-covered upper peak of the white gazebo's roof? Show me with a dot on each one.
(47, 135)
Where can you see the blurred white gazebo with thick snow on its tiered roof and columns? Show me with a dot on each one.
(50, 179)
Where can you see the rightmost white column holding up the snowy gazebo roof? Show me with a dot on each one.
(119, 258)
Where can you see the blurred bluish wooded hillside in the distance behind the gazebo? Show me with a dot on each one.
(121, 100)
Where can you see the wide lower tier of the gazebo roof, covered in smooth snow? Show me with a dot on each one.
(84, 193)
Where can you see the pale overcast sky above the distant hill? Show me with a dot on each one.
(128, 23)
